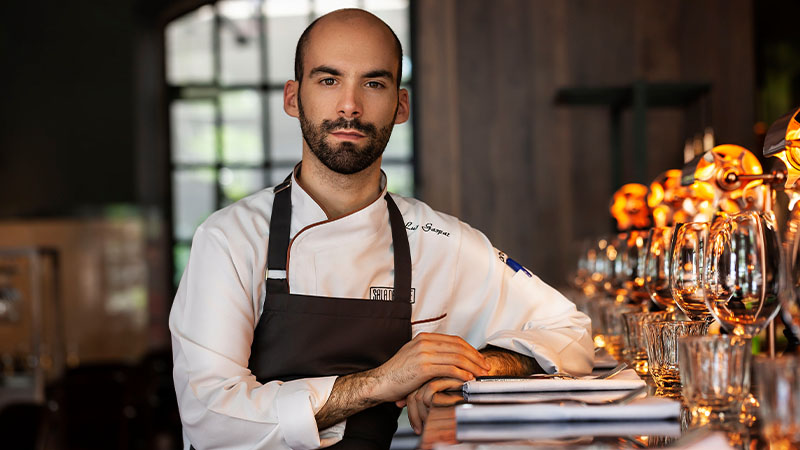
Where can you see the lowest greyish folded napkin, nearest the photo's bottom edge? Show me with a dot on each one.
(563, 430)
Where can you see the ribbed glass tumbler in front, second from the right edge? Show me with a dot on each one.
(715, 374)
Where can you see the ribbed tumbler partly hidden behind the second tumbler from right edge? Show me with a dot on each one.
(662, 349)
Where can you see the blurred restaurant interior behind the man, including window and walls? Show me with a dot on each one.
(124, 123)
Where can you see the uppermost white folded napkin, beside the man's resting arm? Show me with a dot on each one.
(626, 380)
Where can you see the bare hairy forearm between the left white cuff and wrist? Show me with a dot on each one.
(350, 394)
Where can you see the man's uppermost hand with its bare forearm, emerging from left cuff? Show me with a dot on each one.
(426, 357)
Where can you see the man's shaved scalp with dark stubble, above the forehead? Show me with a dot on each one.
(372, 26)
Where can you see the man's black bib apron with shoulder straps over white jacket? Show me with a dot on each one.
(303, 336)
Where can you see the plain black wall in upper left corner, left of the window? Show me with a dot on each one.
(66, 115)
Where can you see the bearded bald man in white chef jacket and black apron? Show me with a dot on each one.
(309, 312)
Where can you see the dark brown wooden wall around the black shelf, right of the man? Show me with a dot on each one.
(496, 150)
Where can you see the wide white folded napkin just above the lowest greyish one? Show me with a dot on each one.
(650, 408)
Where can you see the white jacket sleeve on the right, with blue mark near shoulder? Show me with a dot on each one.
(515, 310)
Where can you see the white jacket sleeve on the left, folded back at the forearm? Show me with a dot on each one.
(221, 404)
